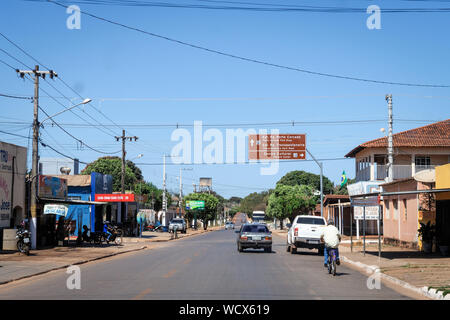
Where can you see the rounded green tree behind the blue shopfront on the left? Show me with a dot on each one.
(112, 166)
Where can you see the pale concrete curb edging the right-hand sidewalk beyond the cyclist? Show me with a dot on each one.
(372, 269)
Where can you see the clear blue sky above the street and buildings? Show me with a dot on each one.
(137, 79)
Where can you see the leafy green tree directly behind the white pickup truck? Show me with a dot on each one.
(288, 201)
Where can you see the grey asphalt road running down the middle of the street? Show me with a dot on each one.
(206, 266)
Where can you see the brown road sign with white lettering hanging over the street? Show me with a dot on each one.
(277, 147)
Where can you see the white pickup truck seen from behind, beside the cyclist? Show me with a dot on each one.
(305, 233)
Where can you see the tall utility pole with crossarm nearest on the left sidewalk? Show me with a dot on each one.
(35, 154)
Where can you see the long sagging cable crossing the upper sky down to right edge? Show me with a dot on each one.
(229, 55)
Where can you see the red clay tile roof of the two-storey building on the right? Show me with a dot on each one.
(433, 135)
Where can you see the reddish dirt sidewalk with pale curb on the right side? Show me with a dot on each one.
(406, 268)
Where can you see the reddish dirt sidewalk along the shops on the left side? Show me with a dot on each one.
(15, 266)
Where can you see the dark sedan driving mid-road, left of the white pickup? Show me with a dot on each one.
(256, 236)
